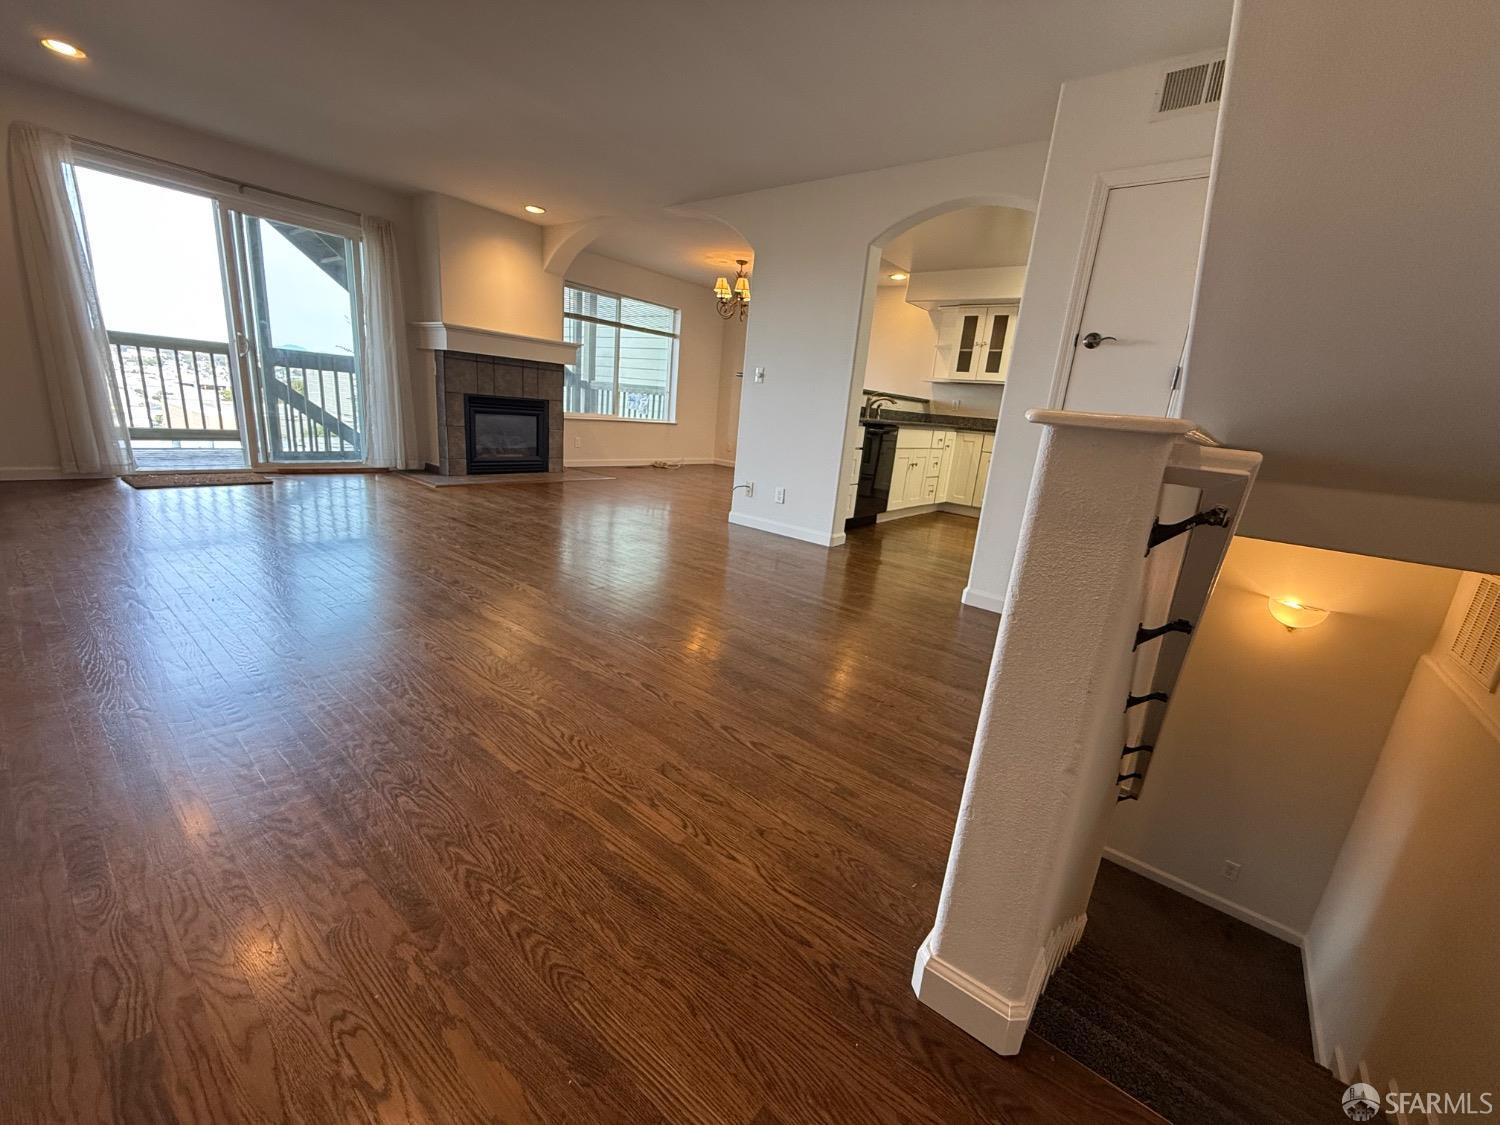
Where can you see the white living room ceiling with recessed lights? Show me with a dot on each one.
(595, 107)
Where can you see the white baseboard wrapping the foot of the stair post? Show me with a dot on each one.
(998, 1022)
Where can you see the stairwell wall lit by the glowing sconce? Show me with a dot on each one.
(1273, 736)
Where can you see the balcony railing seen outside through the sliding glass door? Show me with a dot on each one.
(175, 389)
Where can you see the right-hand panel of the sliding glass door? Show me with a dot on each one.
(301, 296)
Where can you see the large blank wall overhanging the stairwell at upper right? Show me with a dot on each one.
(1345, 322)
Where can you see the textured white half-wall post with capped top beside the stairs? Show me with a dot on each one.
(1046, 757)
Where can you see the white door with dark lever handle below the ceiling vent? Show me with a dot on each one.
(1141, 293)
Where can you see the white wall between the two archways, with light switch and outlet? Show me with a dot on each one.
(814, 274)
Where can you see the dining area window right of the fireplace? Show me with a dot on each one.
(628, 356)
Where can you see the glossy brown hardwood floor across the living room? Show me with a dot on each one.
(353, 800)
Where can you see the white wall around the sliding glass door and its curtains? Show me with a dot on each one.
(28, 445)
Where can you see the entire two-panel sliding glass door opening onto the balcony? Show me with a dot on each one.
(235, 328)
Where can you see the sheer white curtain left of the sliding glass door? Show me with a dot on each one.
(65, 310)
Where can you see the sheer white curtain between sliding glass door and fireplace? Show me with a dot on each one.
(391, 427)
